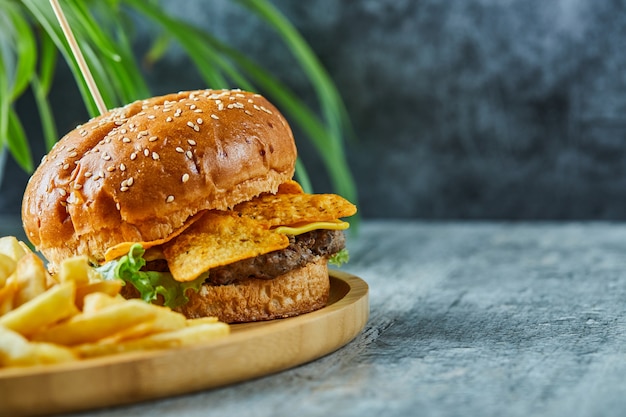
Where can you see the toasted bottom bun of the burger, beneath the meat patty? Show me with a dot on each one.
(296, 292)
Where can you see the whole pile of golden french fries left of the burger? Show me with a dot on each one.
(74, 314)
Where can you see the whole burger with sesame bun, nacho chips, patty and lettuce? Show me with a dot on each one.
(189, 199)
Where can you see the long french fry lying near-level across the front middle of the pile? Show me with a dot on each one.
(89, 328)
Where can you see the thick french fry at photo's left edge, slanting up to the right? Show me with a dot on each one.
(48, 308)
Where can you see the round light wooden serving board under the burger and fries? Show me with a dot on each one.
(252, 350)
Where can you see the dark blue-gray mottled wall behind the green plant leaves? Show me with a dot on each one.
(462, 109)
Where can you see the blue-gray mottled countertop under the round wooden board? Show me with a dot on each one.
(489, 319)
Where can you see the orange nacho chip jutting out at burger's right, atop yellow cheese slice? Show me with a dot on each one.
(289, 209)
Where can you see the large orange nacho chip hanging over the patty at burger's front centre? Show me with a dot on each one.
(219, 238)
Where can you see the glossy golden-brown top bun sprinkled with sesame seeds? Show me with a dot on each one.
(139, 172)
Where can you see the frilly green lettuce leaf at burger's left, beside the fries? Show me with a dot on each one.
(149, 284)
